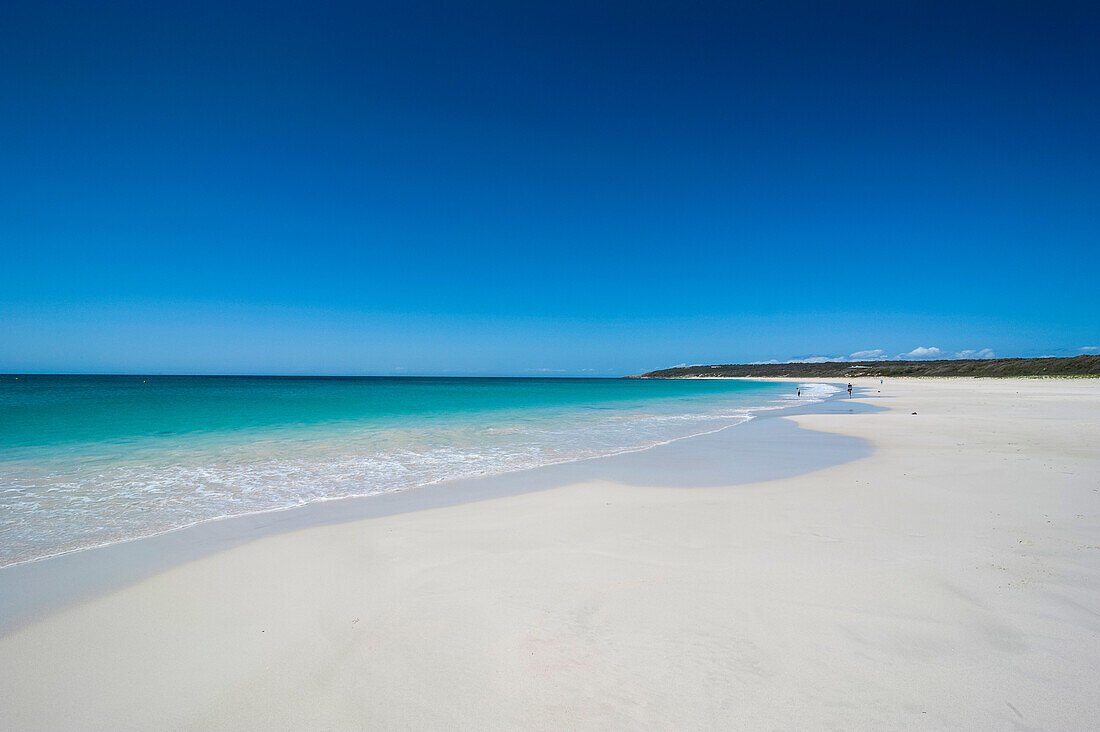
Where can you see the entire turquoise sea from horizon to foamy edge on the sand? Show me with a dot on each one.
(91, 461)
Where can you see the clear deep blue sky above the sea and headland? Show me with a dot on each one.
(516, 189)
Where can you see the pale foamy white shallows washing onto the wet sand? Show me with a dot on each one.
(59, 507)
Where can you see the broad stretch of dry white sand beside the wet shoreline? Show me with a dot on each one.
(949, 581)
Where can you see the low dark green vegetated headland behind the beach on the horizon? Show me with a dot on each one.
(1079, 366)
